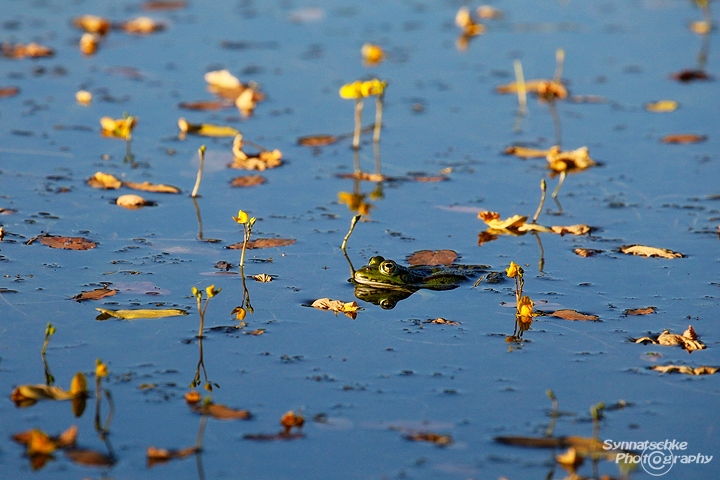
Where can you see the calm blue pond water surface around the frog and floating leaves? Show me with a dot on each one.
(362, 384)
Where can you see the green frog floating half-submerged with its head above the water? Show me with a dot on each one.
(387, 274)
